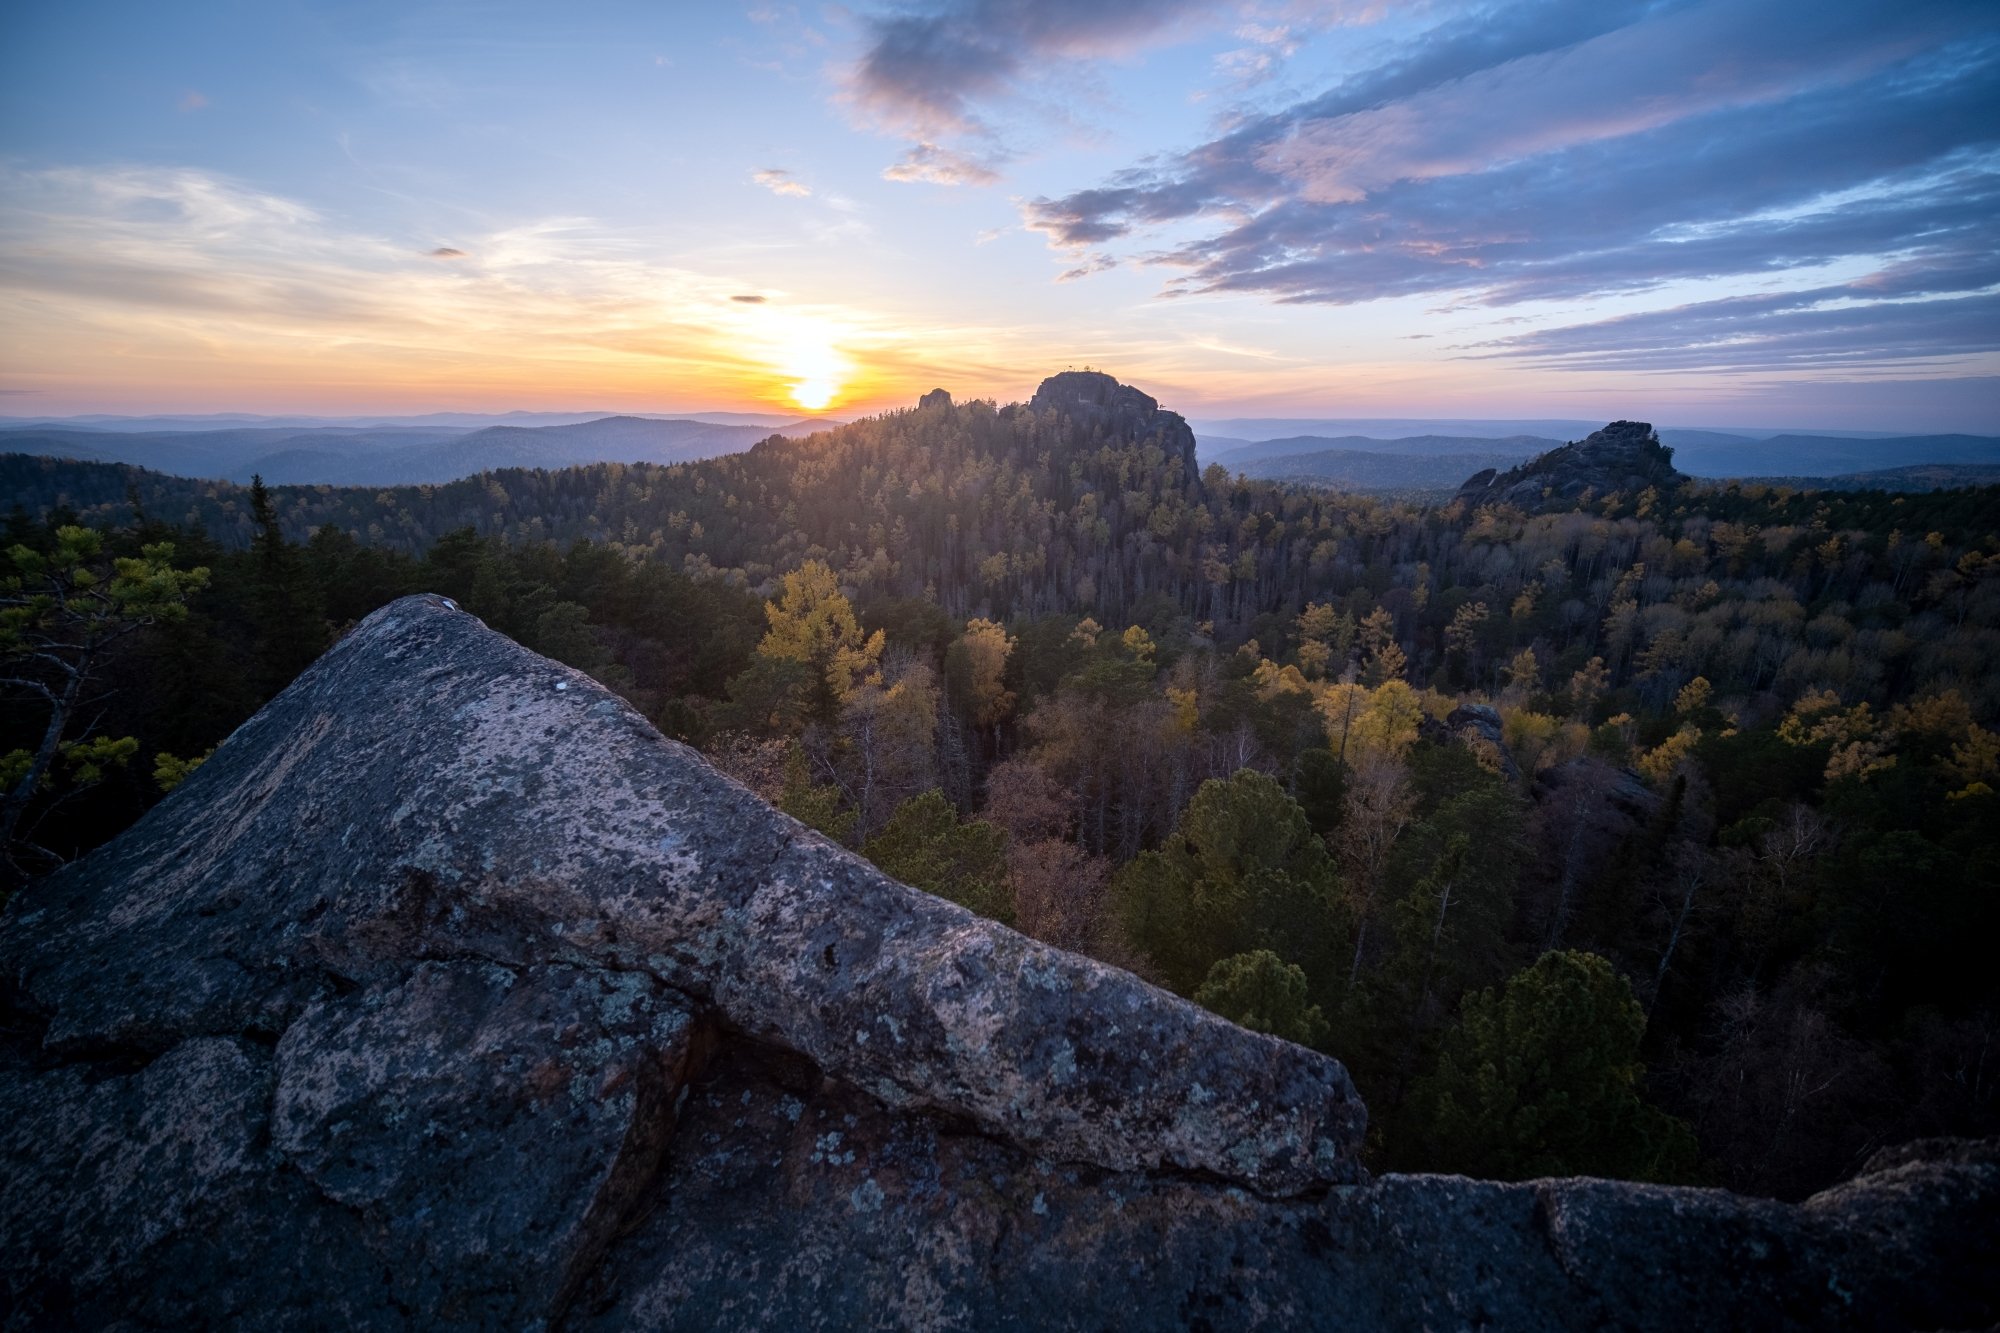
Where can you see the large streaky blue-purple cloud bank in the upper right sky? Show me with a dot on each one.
(1563, 153)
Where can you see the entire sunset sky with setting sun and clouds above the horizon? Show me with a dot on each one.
(1765, 213)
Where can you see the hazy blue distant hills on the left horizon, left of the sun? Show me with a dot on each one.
(391, 455)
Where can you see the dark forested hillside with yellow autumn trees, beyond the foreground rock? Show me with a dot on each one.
(1649, 838)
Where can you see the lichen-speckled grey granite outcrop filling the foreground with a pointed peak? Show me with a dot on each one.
(453, 996)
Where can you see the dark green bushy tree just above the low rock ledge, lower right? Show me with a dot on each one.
(1543, 1078)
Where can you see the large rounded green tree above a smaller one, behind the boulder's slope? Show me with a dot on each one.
(1241, 872)
